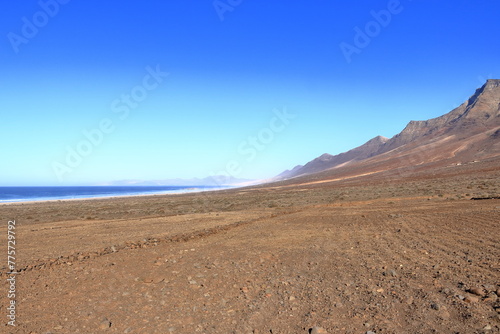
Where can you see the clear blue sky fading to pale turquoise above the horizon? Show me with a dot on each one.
(73, 66)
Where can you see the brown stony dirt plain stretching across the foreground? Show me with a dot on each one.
(407, 256)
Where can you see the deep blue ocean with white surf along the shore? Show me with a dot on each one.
(28, 194)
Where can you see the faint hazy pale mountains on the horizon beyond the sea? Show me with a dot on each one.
(218, 180)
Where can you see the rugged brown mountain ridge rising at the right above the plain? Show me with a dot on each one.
(469, 132)
